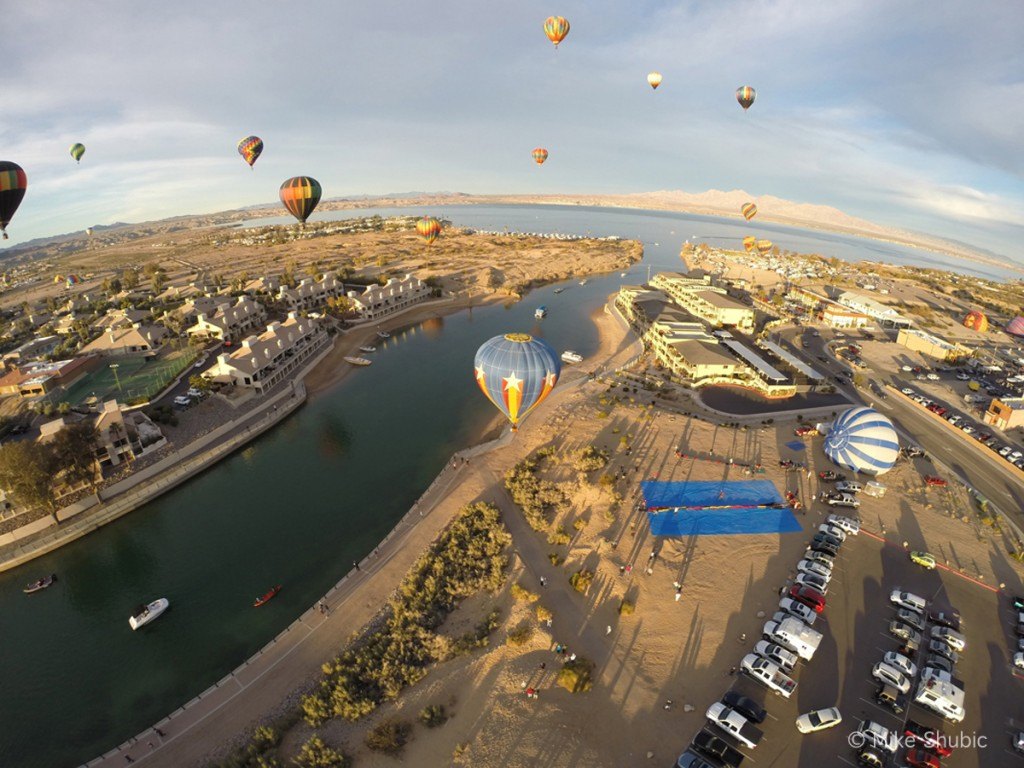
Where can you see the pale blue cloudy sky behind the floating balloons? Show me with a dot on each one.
(910, 114)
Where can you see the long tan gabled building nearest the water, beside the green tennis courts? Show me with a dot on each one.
(265, 361)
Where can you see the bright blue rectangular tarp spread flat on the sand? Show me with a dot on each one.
(717, 508)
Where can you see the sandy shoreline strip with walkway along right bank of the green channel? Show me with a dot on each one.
(276, 673)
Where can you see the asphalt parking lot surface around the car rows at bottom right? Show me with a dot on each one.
(856, 628)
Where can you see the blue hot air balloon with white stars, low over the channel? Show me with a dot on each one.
(517, 372)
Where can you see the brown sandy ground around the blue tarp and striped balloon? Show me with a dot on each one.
(667, 651)
